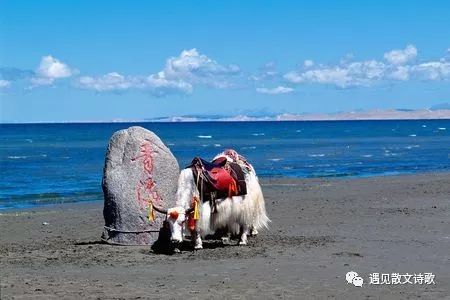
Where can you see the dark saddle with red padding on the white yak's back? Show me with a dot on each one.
(218, 179)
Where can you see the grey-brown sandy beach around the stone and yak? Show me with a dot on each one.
(320, 230)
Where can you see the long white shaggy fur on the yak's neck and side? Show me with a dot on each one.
(232, 213)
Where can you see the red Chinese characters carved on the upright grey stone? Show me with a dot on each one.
(147, 186)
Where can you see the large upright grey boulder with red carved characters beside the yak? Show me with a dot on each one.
(138, 167)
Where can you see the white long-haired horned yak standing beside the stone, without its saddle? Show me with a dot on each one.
(236, 214)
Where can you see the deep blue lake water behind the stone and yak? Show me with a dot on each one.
(56, 163)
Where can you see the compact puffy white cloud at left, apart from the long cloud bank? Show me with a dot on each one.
(49, 70)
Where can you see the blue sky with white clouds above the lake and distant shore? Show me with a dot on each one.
(103, 60)
